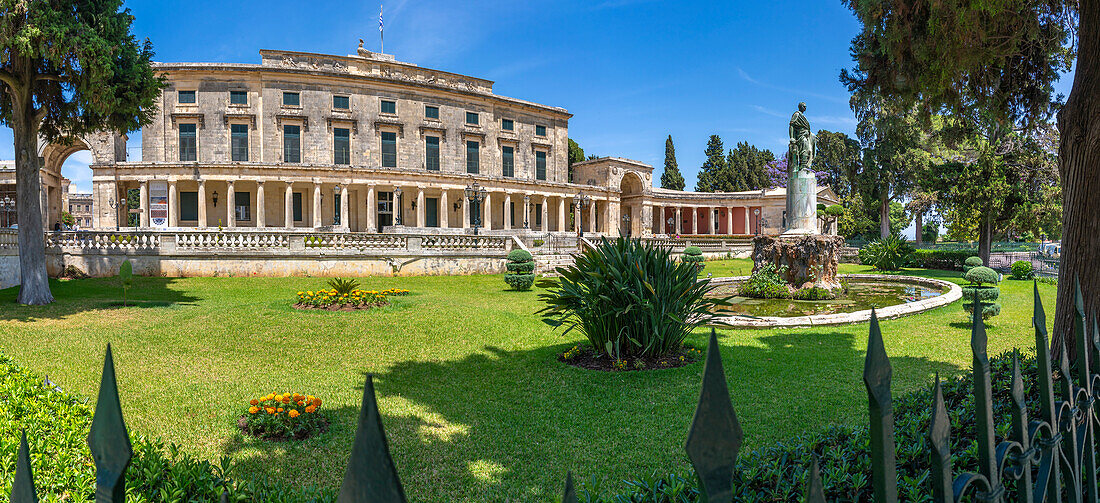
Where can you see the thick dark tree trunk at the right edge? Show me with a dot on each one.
(1080, 167)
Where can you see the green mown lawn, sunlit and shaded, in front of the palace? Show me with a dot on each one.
(475, 402)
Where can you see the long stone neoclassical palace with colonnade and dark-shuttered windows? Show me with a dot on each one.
(366, 144)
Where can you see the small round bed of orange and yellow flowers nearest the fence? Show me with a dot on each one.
(283, 417)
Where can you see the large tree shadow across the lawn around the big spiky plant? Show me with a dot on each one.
(507, 425)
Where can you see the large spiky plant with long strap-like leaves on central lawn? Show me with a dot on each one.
(631, 300)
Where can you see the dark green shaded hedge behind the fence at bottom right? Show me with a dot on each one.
(779, 473)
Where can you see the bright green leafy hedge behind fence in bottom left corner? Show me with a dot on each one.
(58, 427)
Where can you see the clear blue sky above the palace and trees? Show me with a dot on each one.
(632, 72)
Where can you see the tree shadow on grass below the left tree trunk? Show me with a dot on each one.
(73, 297)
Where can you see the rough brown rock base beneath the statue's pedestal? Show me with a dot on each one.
(810, 260)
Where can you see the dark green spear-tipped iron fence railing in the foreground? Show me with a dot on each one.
(1052, 458)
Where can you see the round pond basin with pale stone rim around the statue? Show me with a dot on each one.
(915, 296)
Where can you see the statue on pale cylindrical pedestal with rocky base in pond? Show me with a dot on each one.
(811, 259)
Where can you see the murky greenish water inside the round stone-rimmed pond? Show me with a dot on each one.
(861, 297)
